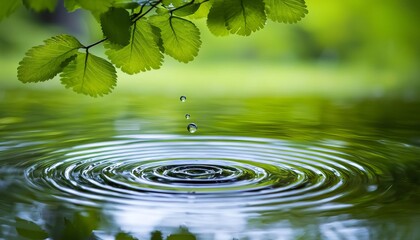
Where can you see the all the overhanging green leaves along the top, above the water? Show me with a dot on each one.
(136, 41)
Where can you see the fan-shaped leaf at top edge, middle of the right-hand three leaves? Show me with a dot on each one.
(244, 16)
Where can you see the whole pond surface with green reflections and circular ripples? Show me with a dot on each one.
(126, 167)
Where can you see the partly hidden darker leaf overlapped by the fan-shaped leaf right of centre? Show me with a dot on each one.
(216, 19)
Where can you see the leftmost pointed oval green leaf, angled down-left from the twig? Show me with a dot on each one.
(46, 61)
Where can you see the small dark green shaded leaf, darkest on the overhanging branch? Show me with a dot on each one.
(116, 25)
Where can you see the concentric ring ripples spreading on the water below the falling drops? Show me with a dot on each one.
(198, 172)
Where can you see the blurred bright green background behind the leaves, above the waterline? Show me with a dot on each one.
(354, 49)
